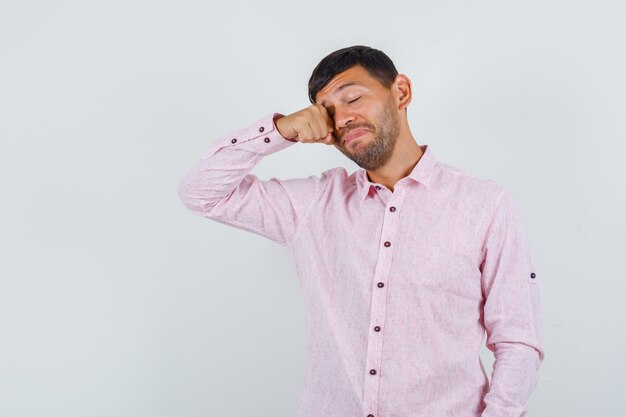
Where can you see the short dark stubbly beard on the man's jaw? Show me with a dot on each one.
(377, 152)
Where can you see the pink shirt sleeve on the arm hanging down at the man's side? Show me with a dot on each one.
(511, 312)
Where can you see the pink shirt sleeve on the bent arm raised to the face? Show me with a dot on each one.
(220, 187)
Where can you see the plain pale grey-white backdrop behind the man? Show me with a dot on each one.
(117, 301)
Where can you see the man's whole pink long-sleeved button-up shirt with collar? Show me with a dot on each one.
(399, 287)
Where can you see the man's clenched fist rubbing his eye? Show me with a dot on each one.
(312, 124)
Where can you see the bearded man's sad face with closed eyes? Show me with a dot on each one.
(358, 102)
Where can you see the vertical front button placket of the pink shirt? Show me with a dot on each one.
(379, 303)
